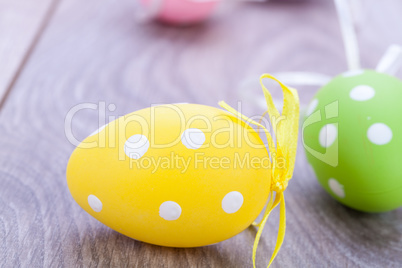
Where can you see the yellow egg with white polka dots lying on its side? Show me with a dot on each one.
(180, 175)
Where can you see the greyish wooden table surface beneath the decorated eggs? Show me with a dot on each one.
(55, 54)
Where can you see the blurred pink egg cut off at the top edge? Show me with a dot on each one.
(179, 11)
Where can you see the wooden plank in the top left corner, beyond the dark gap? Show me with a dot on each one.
(21, 23)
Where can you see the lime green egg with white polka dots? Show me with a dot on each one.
(353, 139)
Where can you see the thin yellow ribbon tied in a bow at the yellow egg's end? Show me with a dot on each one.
(285, 127)
